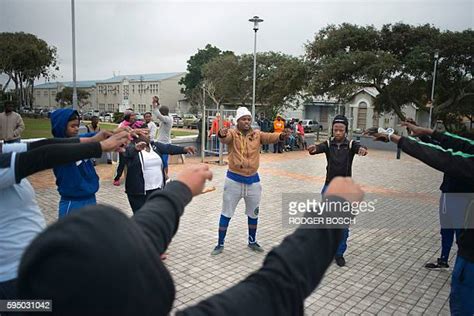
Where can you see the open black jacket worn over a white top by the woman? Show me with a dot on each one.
(135, 183)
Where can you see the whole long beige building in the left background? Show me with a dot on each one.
(120, 92)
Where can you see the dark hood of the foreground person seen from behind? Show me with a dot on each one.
(96, 262)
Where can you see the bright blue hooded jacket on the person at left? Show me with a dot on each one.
(75, 181)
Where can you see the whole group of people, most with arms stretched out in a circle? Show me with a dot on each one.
(95, 260)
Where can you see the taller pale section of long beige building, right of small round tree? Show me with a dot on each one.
(136, 92)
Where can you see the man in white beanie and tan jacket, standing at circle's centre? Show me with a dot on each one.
(242, 179)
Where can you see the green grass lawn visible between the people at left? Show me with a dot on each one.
(41, 128)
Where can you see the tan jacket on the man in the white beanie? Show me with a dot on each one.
(244, 151)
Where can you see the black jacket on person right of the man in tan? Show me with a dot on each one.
(339, 157)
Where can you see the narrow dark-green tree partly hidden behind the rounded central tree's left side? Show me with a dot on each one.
(192, 81)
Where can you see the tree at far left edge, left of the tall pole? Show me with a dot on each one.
(24, 58)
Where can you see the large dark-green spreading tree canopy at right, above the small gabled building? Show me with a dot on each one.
(396, 60)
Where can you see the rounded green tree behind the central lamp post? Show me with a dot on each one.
(280, 78)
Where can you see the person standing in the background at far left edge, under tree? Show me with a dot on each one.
(11, 124)
